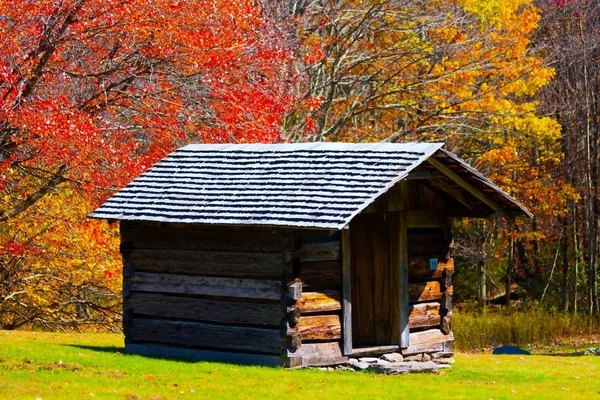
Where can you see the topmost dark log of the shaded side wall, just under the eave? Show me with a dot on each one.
(203, 238)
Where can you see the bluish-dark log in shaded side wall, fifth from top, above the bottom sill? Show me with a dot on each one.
(200, 334)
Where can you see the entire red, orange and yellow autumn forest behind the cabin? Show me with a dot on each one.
(93, 92)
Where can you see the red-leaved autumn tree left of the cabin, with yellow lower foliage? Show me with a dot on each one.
(91, 93)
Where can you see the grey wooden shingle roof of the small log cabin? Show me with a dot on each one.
(314, 185)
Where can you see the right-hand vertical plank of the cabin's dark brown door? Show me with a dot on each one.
(381, 277)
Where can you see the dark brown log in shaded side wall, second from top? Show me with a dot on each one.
(218, 263)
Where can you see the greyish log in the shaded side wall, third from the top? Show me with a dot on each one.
(207, 285)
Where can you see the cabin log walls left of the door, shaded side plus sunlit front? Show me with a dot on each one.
(249, 295)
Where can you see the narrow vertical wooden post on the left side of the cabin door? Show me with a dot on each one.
(347, 291)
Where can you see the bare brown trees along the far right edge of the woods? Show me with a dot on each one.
(570, 38)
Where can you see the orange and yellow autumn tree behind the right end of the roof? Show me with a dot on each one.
(461, 71)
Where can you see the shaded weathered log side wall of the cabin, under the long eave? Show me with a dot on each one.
(208, 292)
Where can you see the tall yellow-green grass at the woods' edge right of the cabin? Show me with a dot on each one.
(534, 326)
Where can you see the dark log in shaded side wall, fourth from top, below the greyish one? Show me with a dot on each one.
(207, 310)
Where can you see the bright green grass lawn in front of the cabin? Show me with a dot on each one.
(81, 366)
